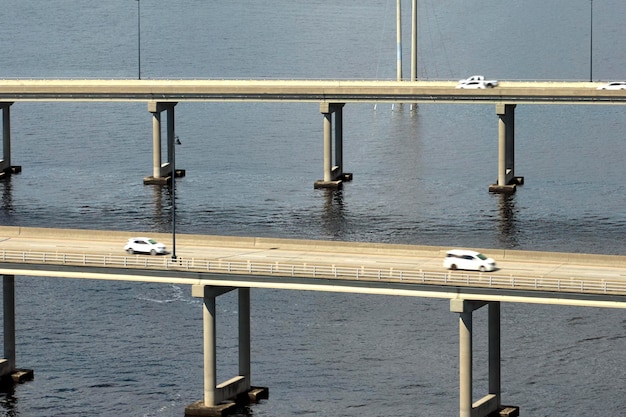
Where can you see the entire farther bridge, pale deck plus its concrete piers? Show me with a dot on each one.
(333, 95)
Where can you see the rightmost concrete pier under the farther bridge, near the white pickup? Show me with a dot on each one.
(507, 181)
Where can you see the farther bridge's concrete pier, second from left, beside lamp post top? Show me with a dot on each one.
(162, 172)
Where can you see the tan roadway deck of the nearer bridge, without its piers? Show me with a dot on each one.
(408, 270)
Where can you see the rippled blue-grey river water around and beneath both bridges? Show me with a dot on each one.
(420, 177)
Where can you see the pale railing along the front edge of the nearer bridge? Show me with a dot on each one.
(322, 271)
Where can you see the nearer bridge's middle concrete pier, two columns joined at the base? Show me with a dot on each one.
(222, 399)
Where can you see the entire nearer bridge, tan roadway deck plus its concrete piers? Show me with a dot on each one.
(214, 265)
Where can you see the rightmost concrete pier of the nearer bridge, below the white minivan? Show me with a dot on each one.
(490, 404)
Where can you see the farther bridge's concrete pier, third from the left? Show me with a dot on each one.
(333, 167)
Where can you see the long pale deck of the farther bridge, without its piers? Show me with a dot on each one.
(332, 91)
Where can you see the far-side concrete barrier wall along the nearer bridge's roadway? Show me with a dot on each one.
(311, 245)
